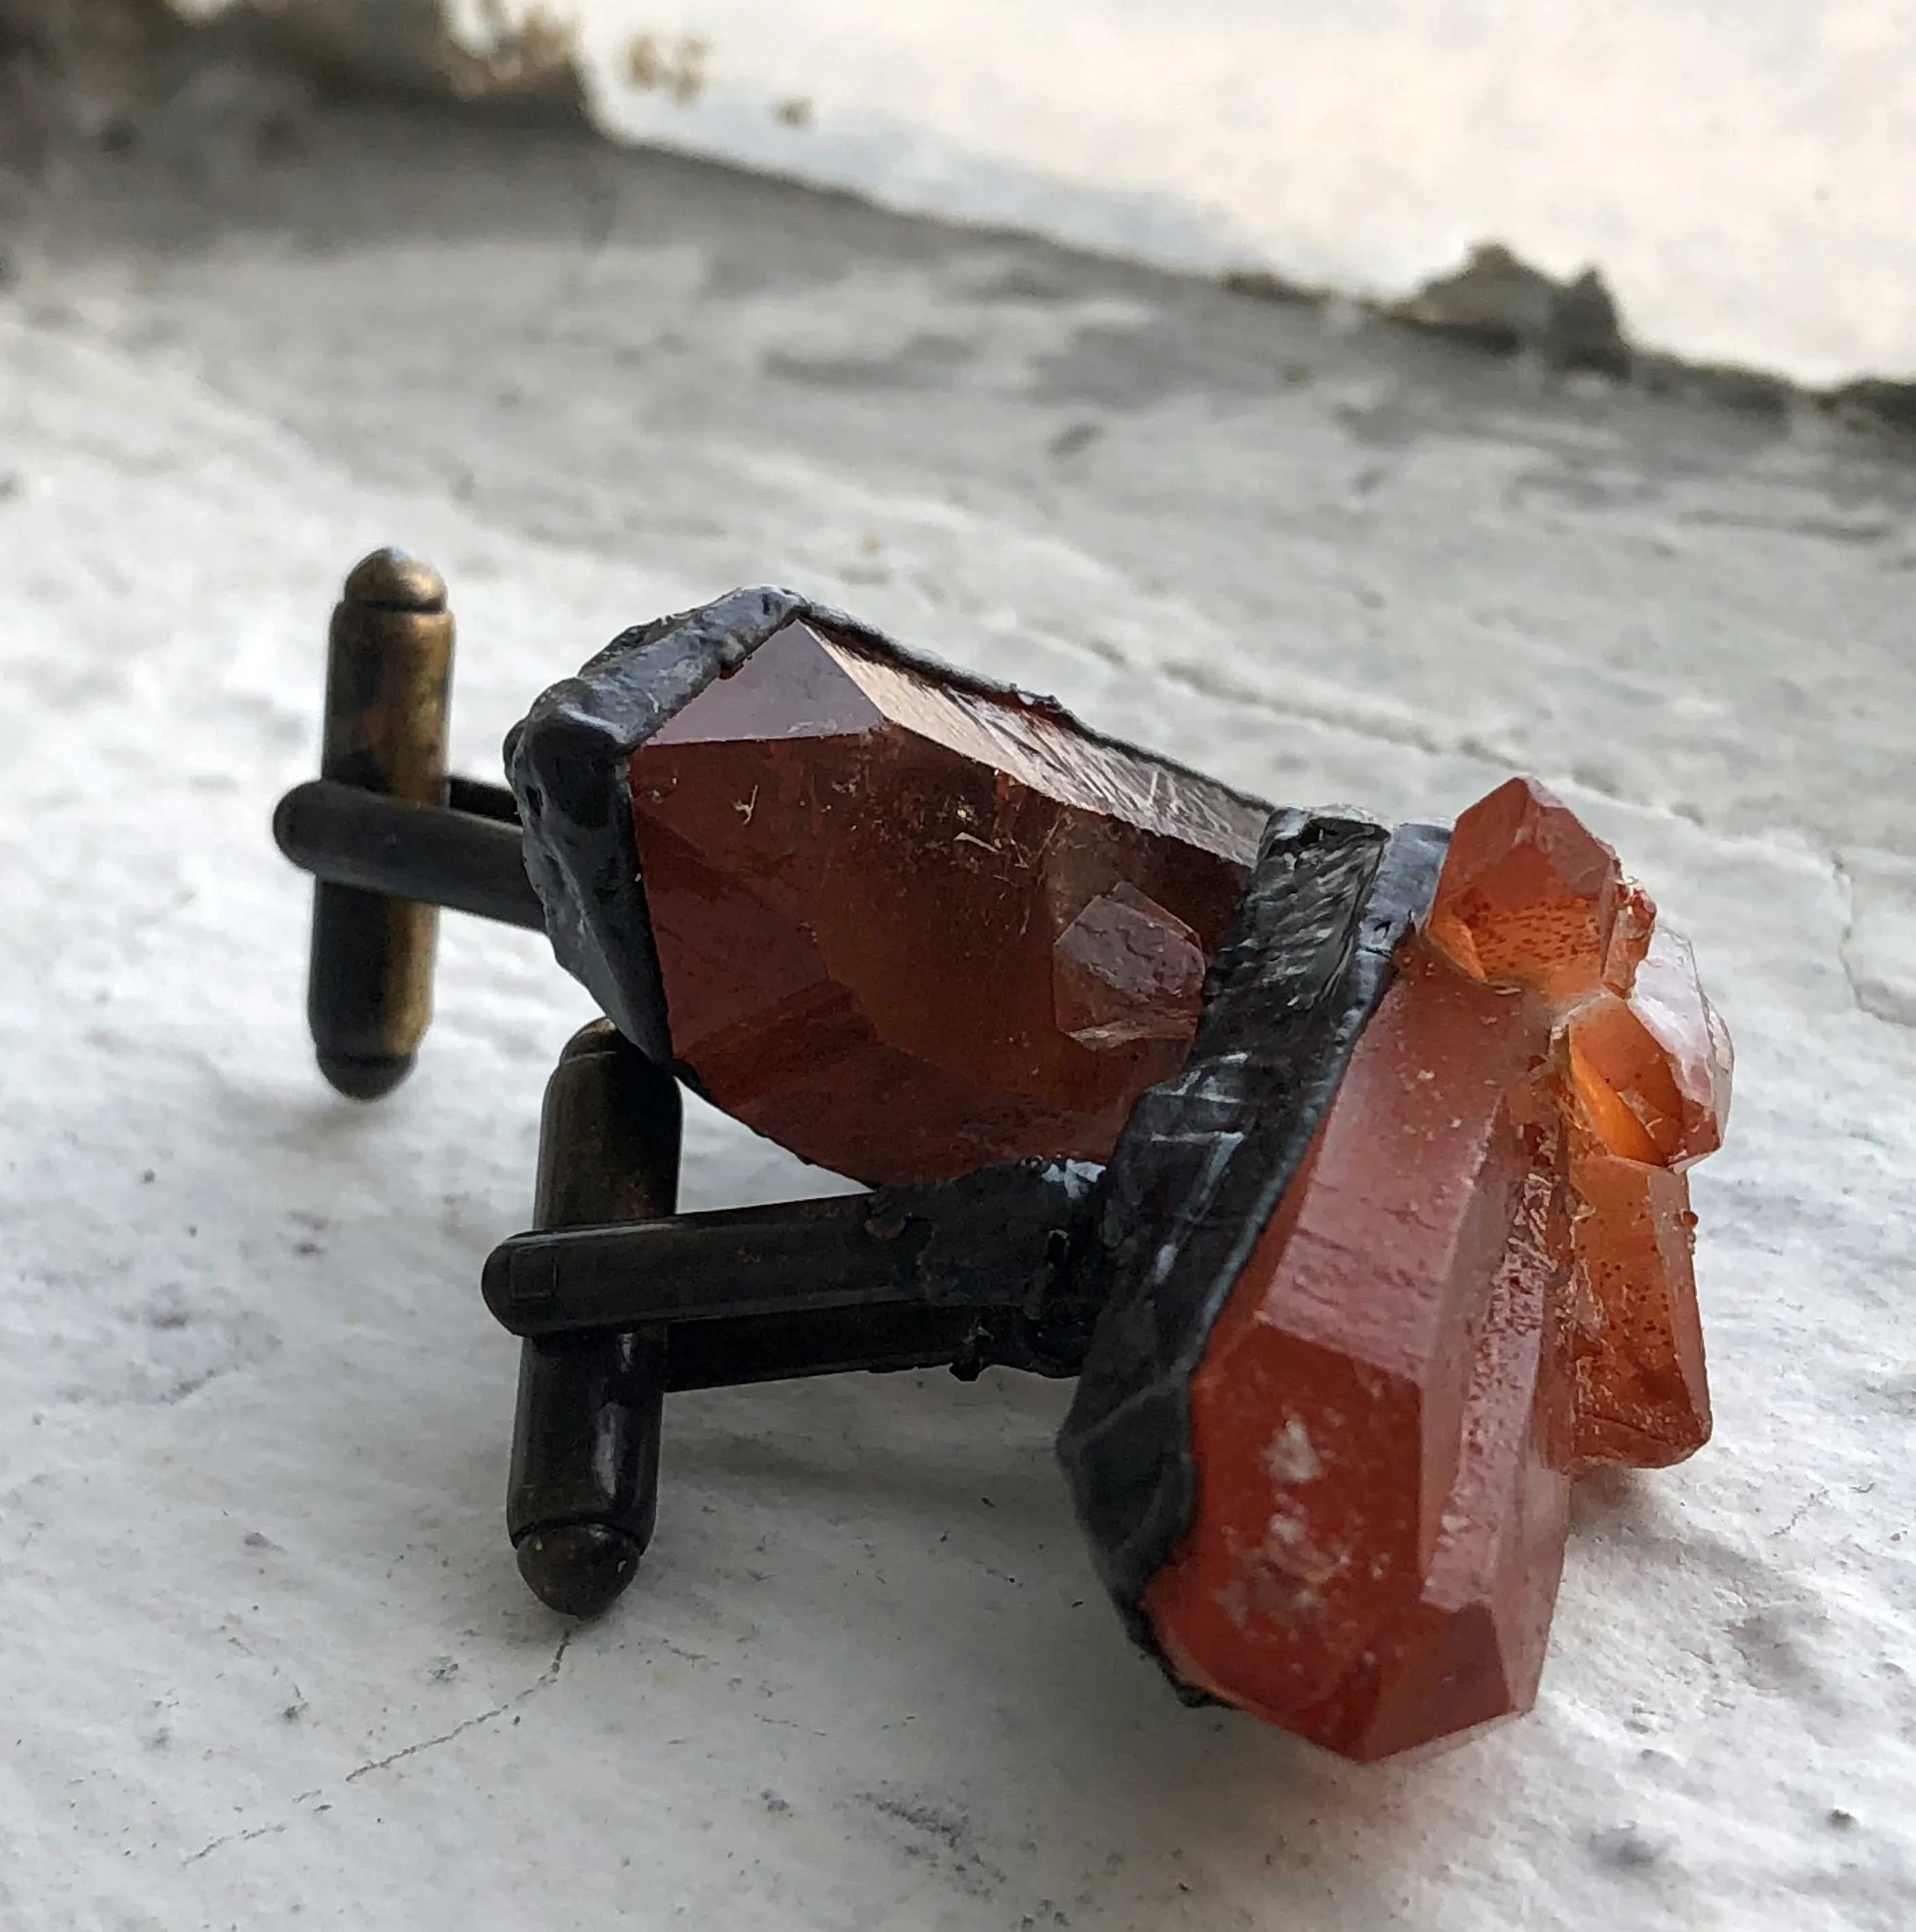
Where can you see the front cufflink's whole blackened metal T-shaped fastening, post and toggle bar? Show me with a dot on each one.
(621, 1301)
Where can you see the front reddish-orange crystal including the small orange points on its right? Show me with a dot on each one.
(1479, 1284)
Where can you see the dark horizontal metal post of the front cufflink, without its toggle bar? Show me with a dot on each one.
(996, 1243)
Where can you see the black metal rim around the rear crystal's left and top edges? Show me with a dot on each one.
(567, 764)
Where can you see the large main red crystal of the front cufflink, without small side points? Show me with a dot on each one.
(1363, 1421)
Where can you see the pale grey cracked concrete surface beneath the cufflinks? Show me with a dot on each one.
(254, 1417)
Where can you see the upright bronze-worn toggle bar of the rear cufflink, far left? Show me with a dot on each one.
(389, 668)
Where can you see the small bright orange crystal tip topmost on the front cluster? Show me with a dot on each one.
(1529, 895)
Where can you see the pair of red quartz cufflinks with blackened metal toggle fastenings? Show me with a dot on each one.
(1343, 1166)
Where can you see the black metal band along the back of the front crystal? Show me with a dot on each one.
(1206, 1160)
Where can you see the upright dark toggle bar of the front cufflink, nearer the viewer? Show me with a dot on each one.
(584, 1487)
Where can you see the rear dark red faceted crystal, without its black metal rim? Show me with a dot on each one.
(909, 928)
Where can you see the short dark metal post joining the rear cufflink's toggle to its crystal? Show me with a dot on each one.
(420, 855)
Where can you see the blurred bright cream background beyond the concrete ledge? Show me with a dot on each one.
(1741, 171)
